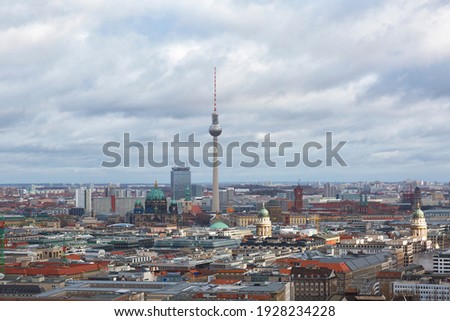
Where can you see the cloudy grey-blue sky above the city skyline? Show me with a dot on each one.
(77, 74)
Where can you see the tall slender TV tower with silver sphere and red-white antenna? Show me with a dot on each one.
(215, 130)
